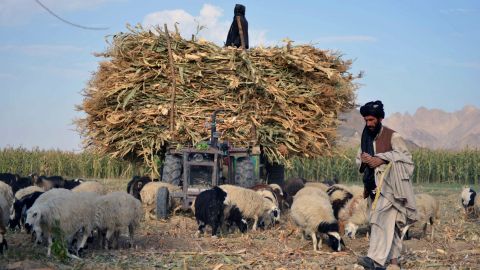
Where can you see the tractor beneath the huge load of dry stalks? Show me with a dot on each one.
(209, 164)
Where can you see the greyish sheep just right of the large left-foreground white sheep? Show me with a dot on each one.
(114, 212)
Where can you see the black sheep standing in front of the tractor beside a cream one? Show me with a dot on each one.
(209, 207)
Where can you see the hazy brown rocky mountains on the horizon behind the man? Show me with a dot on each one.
(427, 128)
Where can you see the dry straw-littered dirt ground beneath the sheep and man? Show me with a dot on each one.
(171, 245)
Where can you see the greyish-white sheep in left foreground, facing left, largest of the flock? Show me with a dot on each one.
(71, 212)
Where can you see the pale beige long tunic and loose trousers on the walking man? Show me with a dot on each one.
(396, 204)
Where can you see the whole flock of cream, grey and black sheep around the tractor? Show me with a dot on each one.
(83, 209)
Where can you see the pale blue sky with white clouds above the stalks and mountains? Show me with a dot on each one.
(413, 53)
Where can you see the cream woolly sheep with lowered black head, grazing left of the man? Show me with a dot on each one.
(313, 214)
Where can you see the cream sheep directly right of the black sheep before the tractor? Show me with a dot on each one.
(251, 204)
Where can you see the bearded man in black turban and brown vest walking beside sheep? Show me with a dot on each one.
(387, 168)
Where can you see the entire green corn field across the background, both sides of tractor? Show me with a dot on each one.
(431, 166)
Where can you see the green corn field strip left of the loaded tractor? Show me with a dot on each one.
(64, 163)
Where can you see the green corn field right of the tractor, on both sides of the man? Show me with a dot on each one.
(431, 166)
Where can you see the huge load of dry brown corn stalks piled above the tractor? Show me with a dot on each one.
(285, 99)
